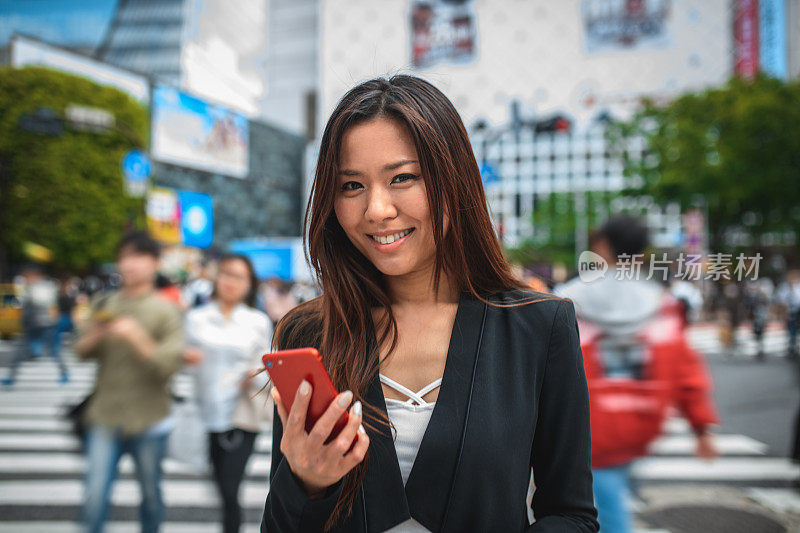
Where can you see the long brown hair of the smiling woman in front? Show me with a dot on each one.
(338, 322)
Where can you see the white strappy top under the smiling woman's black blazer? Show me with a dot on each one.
(410, 419)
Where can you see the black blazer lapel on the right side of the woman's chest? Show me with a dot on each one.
(431, 479)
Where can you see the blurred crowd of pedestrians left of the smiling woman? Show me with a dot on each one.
(142, 328)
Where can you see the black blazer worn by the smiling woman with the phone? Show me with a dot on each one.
(513, 396)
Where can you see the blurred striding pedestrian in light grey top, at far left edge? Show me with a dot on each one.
(39, 303)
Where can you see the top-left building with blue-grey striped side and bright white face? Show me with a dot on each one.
(211, 48)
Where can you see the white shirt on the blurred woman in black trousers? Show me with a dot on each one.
(231, 348)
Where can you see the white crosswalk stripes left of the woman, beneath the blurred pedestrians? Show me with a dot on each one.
(41, 466)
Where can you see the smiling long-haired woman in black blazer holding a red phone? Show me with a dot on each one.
(463, 377)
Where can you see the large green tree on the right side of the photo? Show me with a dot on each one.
(734, 150)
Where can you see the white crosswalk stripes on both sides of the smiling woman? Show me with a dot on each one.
(41, 466)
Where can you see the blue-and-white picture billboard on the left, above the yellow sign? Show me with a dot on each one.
(190, 132)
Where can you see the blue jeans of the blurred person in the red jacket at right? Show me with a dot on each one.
(611, 494)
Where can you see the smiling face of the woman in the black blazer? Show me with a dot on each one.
(380, 192)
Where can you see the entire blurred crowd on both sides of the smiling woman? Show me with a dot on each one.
(141, 327)
